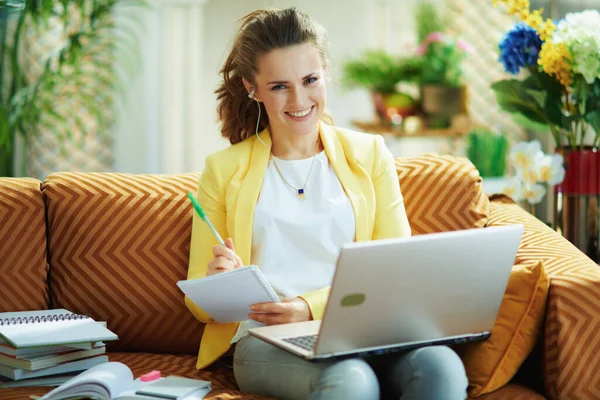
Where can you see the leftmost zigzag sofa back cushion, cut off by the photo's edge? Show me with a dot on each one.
(23, 265)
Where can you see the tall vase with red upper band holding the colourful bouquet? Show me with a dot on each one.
(577, 198)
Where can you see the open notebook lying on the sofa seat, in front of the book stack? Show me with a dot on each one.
(114, 380)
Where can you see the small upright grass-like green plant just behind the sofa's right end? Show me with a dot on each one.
(487, 151)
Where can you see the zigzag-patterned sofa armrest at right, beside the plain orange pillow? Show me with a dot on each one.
(571, 340)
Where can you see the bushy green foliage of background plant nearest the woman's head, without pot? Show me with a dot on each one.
(380, 72)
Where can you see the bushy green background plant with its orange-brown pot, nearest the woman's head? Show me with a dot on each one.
(381, 73)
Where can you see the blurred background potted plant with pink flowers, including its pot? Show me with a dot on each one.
(442, 92)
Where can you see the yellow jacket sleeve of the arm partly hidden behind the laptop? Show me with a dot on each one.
(390, 215)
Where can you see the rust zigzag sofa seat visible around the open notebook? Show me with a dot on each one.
(223, 383)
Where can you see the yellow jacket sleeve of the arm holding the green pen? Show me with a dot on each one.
(211, 199)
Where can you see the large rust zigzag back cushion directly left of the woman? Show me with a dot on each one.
(119, 243)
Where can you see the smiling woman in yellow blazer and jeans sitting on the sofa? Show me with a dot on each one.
(289, 192)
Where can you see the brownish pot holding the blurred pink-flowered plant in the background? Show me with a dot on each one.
(440, 103)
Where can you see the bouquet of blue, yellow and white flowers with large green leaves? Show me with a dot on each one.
(561, 90)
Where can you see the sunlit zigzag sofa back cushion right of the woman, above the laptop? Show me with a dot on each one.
(442, 193)
